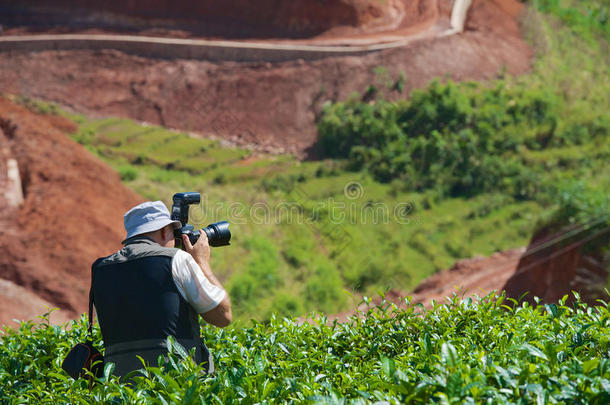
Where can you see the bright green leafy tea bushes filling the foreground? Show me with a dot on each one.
(469, 351)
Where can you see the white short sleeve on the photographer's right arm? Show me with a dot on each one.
(193, 285)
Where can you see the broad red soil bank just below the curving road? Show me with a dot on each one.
(261, 105)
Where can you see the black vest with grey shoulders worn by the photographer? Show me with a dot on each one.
(138, 306)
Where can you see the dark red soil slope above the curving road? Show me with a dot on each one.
(227, 18)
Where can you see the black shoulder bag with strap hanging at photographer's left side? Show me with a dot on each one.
(84, 357)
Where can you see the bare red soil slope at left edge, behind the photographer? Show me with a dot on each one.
(71, 215)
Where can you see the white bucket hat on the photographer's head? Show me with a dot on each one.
(147, 217)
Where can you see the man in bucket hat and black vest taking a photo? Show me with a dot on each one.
(150, 290)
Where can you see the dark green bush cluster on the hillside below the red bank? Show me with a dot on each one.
(460, 139)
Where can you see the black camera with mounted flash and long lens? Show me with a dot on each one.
(218, 233)
